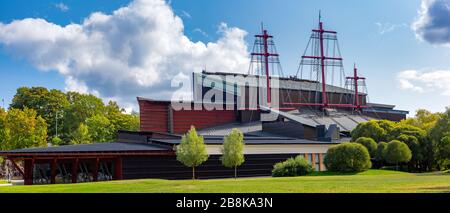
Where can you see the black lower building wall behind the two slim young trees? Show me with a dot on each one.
(167, 167)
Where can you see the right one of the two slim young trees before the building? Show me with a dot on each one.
(233, 150)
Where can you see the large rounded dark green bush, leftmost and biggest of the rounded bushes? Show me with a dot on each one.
(347, 157)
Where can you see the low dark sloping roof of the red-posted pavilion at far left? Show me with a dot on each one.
(96, 147)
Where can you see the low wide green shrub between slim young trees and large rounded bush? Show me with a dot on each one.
(297, 166)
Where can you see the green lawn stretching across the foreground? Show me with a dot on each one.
(369, 181)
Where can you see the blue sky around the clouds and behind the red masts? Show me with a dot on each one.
(377, 35)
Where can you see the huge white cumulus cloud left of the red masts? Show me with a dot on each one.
(135, 51)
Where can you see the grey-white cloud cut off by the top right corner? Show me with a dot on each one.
(433, 22)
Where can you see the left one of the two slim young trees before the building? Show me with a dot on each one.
(192, 150)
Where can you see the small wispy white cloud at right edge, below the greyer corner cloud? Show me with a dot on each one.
(431, 81)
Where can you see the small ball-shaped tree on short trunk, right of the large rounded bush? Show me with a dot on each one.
(397, 152)
